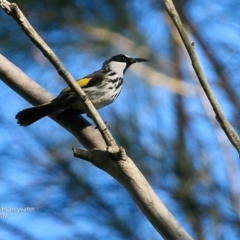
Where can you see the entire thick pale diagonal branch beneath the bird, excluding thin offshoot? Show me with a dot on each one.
(124, 172)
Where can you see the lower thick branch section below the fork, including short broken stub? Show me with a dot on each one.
(132, 179)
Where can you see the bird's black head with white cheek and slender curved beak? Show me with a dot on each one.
(120, 63)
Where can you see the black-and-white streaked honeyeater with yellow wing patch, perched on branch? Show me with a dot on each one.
(102, 87)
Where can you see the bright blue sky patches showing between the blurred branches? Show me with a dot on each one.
(29, 166)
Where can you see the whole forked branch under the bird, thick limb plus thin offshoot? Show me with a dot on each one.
(117, 164)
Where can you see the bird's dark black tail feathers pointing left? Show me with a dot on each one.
(33, 114)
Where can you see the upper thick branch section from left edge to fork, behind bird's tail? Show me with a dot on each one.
(11, 75)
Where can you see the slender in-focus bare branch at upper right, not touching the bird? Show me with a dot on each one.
(226, 126)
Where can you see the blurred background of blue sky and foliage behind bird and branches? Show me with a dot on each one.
(162, 118)
